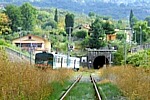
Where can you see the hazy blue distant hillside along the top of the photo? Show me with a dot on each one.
(117, 9)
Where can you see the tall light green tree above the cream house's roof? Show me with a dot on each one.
(29, 16)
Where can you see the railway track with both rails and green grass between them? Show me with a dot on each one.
(83, 88)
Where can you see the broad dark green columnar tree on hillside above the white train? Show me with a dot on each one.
(69, 22)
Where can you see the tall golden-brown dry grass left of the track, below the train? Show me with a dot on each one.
(20, 81)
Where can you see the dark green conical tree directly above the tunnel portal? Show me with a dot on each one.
(96, 39)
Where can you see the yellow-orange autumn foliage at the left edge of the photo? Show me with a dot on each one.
(4, 24)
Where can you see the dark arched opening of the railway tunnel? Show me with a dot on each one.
(100, 61)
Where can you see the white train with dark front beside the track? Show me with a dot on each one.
(51, 60)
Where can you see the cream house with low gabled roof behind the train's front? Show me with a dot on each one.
(32, 42)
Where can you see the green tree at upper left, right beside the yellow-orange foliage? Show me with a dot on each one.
(14, 14)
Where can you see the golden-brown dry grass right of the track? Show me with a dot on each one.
(134, 82)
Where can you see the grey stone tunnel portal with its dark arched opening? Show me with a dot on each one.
(97, 58)
